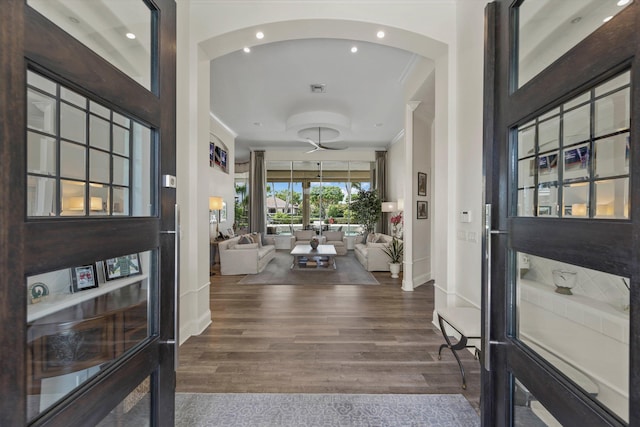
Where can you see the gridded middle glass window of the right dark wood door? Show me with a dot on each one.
(609, 116)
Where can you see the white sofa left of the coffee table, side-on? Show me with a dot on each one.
(249, 258)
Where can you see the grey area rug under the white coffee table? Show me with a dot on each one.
(348, 271)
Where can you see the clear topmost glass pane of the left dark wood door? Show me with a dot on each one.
(120, 31)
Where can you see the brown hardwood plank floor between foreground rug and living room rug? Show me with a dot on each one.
(322, 339)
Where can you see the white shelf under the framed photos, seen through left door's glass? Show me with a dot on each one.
(57, 302)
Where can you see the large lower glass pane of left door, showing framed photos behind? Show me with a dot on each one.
(82, 319)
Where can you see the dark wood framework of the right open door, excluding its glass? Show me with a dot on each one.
(610, 246)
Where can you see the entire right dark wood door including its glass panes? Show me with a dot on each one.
(558, 141)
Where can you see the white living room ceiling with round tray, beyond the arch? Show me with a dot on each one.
(265, 97)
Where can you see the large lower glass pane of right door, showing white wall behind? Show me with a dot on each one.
(577, 319)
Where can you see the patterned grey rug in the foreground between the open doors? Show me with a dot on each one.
(300, 410)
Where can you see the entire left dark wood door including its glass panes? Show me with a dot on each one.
(133, 325)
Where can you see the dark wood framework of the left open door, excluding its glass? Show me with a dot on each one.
(27, 39)
